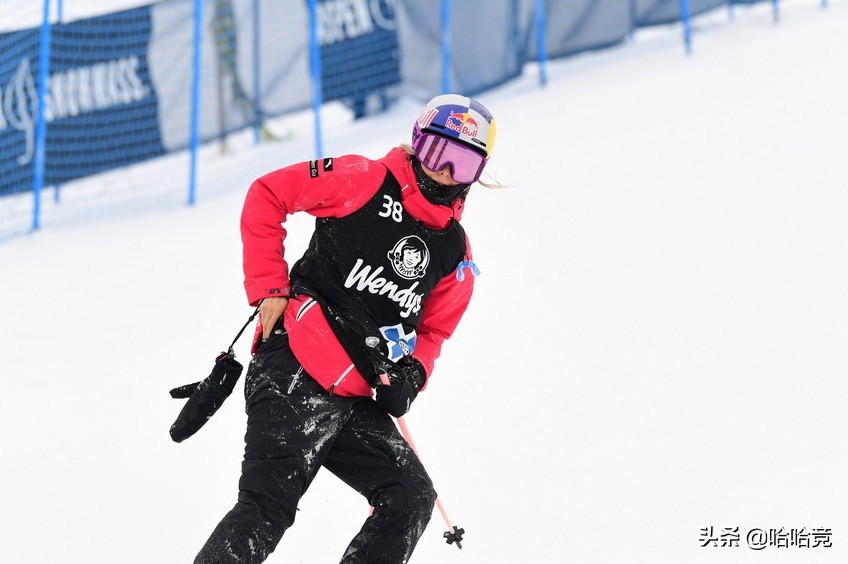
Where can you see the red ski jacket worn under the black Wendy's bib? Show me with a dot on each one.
(336, 188)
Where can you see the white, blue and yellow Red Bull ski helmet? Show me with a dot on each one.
(458, 117)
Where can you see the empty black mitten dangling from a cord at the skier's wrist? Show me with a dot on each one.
(204, 397)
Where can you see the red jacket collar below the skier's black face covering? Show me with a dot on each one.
(433, 216)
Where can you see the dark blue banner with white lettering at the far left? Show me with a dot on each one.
(101, 106)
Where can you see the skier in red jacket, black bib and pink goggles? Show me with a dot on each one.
(388, 259)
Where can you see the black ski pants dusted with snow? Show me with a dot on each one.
(293, 428)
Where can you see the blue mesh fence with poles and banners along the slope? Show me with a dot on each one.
(82, 95)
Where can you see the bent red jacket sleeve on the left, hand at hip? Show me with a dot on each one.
(323, 188)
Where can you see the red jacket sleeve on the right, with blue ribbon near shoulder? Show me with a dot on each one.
(443, 309)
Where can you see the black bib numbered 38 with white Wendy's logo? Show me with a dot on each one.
(372, 271)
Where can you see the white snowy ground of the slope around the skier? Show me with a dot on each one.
(657, 343)
